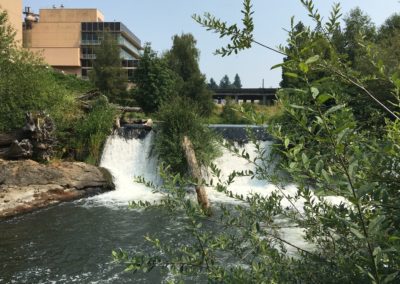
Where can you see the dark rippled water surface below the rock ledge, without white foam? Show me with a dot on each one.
(72, 243)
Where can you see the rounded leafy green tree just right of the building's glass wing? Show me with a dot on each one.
(154, 81)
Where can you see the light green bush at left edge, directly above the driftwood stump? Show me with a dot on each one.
(27, 85)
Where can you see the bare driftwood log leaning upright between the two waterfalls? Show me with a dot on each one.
(195, 173)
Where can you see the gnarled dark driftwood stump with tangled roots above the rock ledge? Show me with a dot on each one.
(34, 140)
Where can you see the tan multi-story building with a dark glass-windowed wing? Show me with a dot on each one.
(67, 38)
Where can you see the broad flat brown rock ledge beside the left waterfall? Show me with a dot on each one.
(28, 185)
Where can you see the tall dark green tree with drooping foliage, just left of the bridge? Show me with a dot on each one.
(183, 59)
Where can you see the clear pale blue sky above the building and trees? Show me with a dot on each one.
(156, 21)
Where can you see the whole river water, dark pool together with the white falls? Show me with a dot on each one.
(72, 242)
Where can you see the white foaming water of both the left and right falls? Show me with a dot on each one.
(127, 159)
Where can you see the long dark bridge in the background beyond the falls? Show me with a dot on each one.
(262, 95)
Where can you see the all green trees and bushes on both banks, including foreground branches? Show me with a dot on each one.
(337, 134)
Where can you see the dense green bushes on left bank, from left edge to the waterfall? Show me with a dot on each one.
(27, 84)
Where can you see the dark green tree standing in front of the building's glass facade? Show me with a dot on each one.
(107, 73)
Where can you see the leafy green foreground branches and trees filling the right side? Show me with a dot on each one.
(323, 148)
